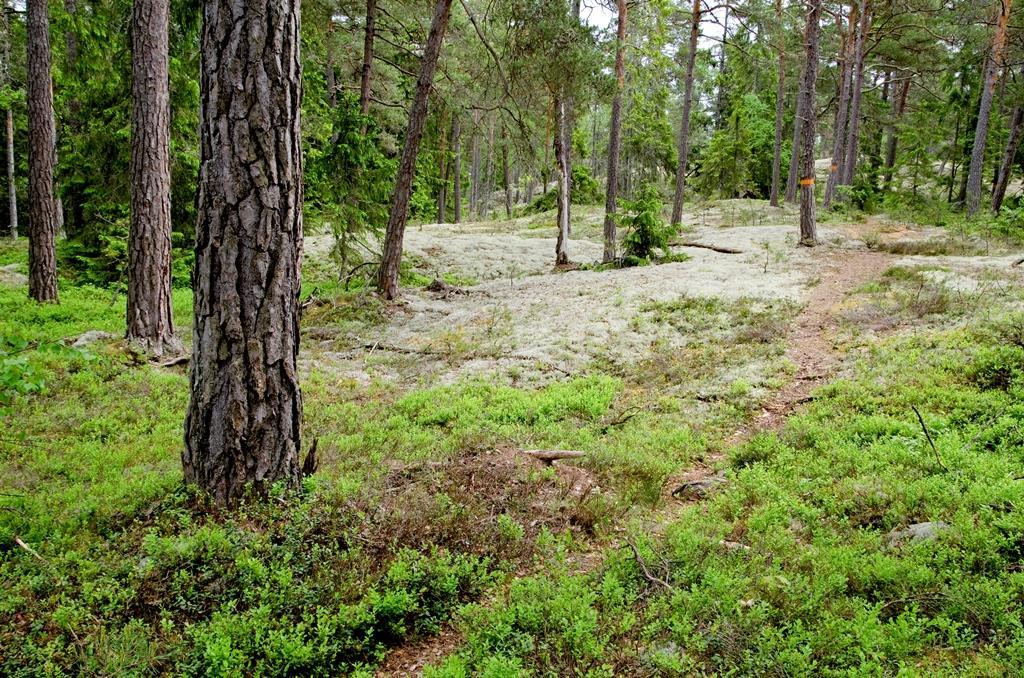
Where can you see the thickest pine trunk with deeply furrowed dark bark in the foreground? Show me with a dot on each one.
(242, 429)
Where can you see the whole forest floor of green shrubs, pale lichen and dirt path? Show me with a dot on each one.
(760, 430)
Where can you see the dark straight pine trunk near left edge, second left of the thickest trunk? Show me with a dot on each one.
(45, 211)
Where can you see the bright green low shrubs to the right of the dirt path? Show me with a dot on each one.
(796, 566)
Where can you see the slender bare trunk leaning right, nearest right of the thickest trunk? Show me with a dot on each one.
(388, 280)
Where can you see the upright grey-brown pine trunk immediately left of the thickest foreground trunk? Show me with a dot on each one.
(150, 321)
